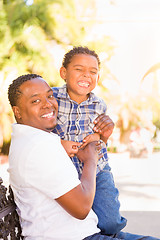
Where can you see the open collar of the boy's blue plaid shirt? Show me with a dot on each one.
(62, 93)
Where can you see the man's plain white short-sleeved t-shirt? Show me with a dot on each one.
(41, 171)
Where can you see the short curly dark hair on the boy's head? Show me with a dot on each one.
(78, 50)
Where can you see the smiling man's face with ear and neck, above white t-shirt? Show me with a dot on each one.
(36, 106)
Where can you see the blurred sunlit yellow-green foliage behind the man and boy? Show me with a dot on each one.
(30, 37)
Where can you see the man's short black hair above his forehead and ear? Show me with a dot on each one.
(14, 88)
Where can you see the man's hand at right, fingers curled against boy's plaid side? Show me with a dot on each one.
(104, 126)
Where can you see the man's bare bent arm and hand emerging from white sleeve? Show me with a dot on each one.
(79, 200)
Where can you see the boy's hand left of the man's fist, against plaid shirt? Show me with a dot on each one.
(70, 147)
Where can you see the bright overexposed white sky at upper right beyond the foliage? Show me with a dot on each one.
(135, 26)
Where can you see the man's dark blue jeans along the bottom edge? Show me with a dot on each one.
(120, 235)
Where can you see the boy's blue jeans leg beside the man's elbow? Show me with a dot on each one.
(106, 204)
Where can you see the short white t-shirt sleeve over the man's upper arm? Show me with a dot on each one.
(49, 169)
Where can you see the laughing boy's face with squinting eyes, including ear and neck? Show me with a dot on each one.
(81, 76)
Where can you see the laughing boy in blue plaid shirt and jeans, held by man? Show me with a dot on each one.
(78, 110)
